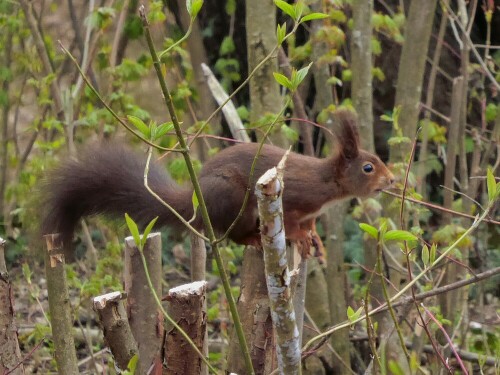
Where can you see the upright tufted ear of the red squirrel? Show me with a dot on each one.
(347, 133)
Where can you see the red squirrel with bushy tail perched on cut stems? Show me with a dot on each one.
(108, 179)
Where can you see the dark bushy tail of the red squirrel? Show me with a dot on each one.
(109, 179)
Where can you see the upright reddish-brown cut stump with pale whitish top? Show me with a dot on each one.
(187, 309)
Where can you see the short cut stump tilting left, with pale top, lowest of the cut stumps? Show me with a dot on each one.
(116, 329)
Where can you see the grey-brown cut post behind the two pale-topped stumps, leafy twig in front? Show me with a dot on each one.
(146, 321)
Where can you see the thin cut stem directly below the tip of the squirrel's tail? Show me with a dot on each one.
(59, 306)
